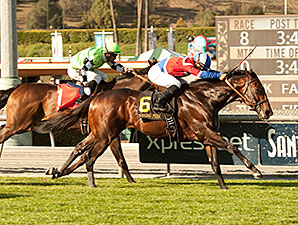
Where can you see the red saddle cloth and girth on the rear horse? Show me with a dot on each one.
(67, 95)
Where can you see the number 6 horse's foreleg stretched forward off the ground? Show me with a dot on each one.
(214, 139)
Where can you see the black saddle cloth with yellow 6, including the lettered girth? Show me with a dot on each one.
(147, 113)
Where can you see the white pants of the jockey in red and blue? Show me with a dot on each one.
(164, 79)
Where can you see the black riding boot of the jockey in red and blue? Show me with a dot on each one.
(164, 98)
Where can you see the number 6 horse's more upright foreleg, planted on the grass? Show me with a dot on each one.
(212, 157)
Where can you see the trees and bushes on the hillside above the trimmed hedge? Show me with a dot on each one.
(97, 14)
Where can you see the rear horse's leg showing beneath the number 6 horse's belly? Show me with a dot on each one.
(118, 154)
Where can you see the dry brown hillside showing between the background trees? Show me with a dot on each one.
(169, 9)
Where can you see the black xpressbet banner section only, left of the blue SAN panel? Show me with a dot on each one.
(162, 151)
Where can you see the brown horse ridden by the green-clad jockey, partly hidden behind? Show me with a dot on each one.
(28, 103)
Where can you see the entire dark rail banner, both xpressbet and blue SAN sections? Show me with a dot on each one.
(273, 144)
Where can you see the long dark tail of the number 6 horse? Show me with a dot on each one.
(62, 121)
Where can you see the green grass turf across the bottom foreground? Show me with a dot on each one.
(149, 201)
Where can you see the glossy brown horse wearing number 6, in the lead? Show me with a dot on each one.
(112, 111)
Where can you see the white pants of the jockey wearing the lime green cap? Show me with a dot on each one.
(96, 75)
